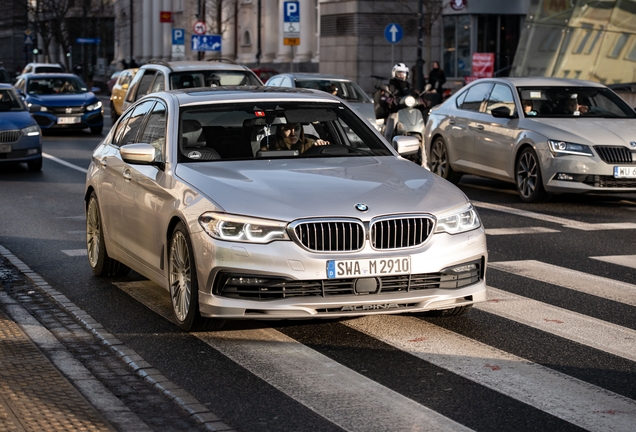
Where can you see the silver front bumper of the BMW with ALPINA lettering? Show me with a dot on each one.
(285, 260)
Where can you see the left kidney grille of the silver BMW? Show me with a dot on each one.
(331, 236)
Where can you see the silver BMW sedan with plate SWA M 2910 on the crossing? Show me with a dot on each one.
(262, 203)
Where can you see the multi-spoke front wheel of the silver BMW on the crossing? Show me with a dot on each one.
(184, 286)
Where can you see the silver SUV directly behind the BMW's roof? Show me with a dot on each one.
(159, 75)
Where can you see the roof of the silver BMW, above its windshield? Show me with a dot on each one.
(233, 94)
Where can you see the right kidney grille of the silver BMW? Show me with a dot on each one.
(400, 232)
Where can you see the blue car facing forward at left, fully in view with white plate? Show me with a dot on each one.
(61, 101)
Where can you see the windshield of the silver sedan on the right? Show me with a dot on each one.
(573, 102)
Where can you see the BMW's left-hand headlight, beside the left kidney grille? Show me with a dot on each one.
(242, 228)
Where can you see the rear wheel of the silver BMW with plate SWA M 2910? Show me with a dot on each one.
(101, 263)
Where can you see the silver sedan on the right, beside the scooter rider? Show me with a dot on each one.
(546, 135)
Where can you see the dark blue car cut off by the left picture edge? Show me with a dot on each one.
(20, 135)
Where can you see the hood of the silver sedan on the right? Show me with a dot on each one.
(586, 130)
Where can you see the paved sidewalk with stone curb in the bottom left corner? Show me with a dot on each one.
(60, 370)
